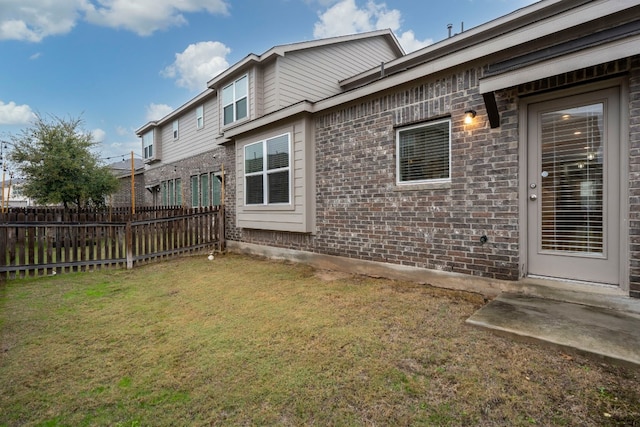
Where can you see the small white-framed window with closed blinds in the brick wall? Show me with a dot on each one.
(423, 153)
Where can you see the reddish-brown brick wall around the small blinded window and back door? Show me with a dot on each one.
(361, 212)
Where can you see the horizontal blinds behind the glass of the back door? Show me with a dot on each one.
(572, 179)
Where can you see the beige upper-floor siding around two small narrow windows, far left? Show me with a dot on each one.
(191, 141)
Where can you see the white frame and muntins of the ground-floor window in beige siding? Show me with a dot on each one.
(265, 172)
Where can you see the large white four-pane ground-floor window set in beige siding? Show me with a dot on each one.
(267, 171)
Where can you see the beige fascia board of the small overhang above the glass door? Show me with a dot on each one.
(581, 59)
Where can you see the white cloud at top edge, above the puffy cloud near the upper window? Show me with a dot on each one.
(144, 17)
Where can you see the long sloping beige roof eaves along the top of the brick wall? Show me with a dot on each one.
(547, 23)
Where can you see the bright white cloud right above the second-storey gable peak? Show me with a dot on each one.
(345, 17)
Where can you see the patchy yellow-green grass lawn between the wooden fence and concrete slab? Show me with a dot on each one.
(246, 341)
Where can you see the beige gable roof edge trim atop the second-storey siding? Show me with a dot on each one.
(282, 50)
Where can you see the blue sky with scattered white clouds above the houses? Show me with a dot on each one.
(117, 64)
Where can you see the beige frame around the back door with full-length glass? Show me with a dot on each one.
(523, 190)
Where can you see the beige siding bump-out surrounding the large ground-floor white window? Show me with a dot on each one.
(298, 216)
